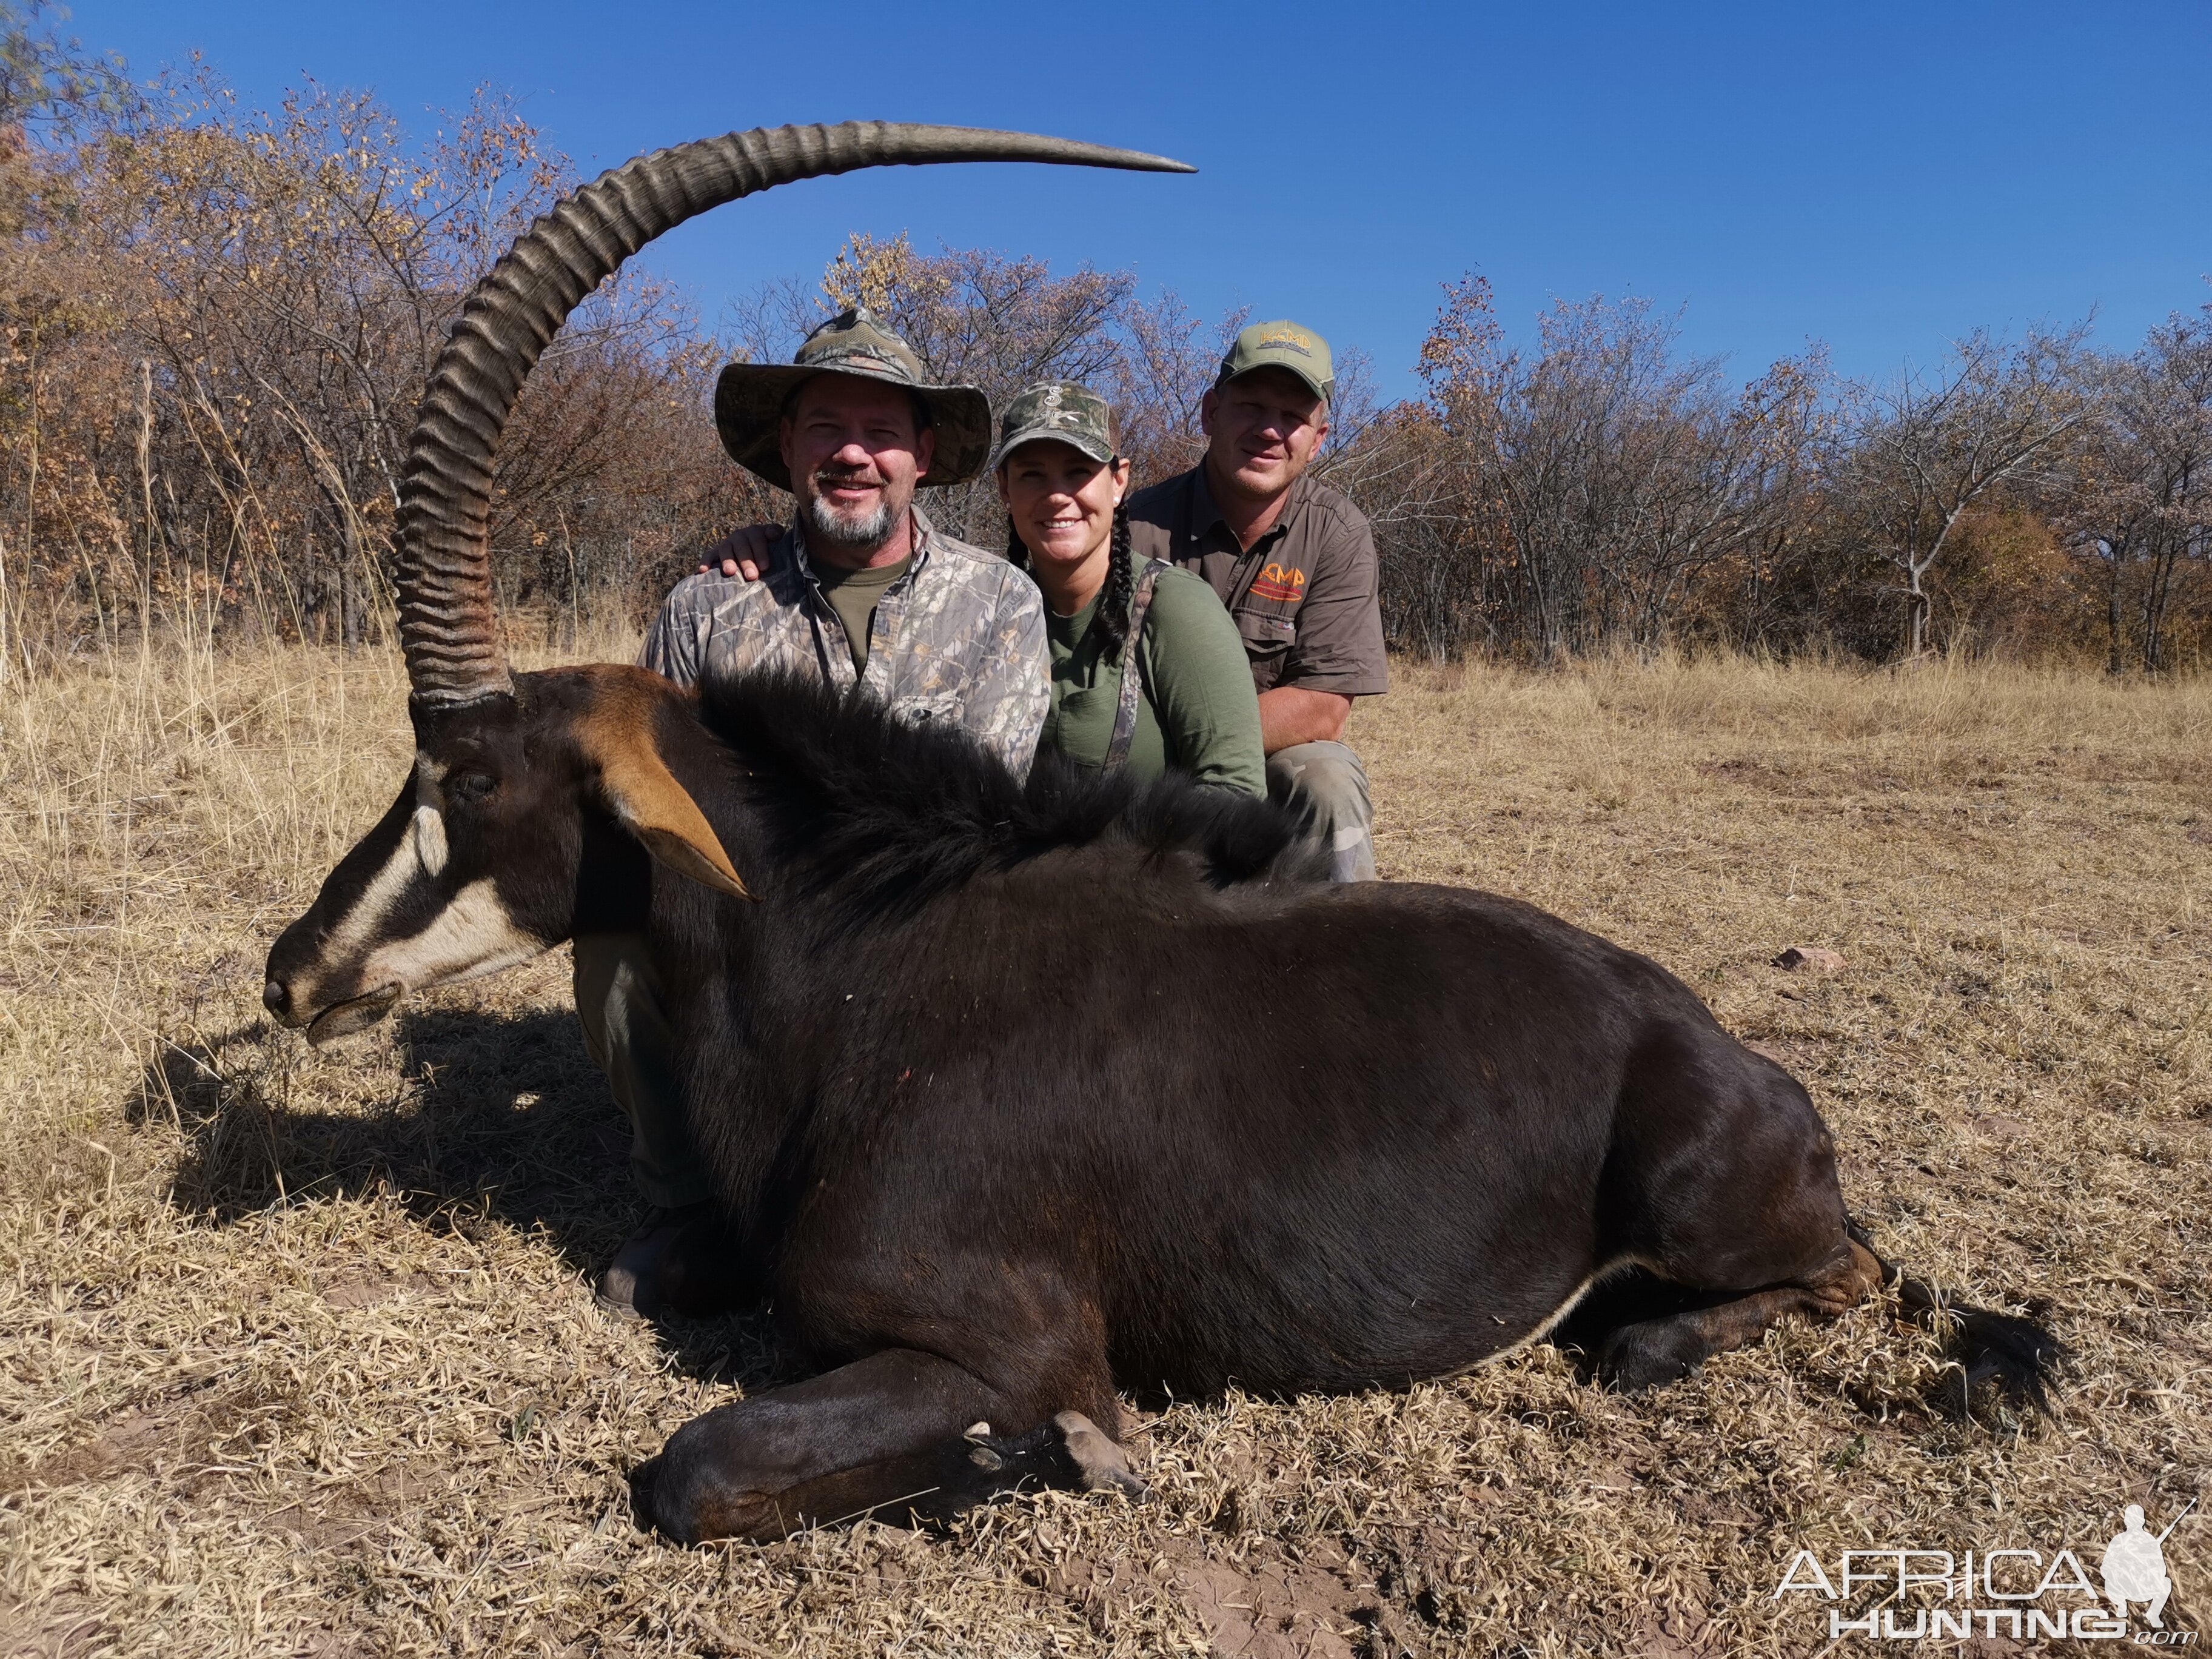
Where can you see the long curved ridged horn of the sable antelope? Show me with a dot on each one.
(448, 625)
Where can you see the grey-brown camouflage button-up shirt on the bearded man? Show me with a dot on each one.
(959, 638)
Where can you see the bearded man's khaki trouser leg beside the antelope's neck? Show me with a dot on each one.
(618, 997)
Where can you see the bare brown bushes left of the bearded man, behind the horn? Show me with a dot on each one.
(218, 326)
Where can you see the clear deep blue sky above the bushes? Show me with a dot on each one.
(1877, 176)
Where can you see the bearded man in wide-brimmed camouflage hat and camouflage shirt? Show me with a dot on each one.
(864, 594)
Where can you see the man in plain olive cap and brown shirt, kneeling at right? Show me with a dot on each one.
(1295, 563)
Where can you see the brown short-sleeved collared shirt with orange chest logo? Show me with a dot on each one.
(1304, 598)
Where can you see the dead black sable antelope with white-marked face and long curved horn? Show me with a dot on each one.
(1021, 1096)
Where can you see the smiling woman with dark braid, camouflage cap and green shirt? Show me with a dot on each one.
(1147, 667)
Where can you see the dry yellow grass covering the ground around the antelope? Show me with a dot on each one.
(298, 1353)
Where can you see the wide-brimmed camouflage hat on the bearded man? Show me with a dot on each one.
(749, 399)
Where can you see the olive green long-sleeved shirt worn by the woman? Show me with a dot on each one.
(1198, 711)
